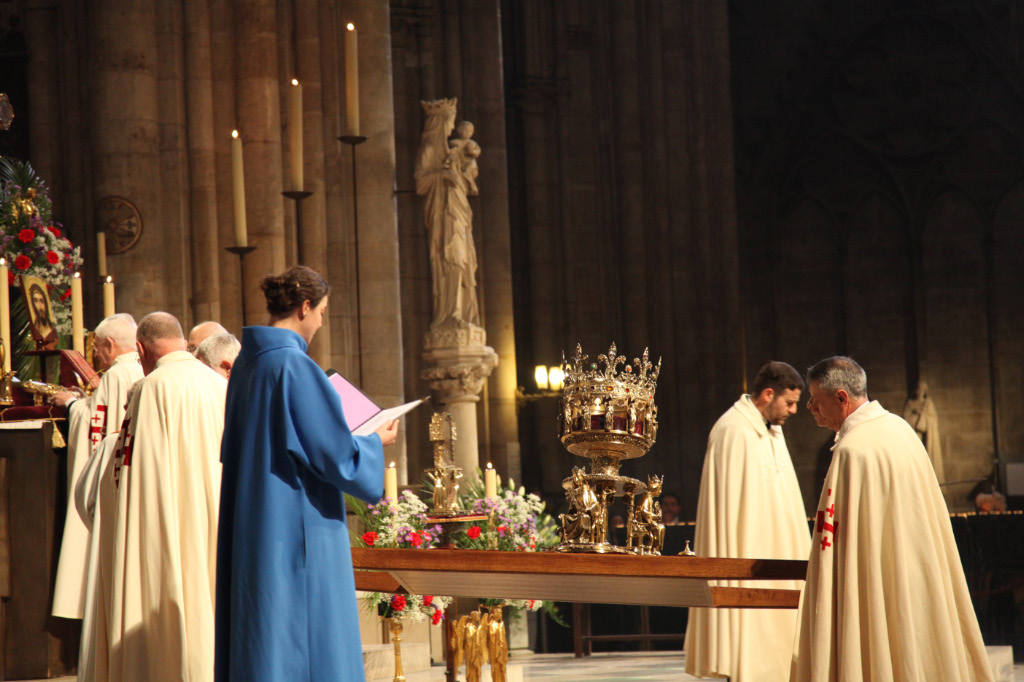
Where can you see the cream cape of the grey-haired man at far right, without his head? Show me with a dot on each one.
(886, 599)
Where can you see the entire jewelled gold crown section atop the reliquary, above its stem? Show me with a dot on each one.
(612, 398)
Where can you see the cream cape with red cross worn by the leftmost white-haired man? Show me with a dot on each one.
(90, 421)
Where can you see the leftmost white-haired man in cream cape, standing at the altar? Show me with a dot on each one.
(90, 421)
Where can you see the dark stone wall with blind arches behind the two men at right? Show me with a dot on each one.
(880, 170)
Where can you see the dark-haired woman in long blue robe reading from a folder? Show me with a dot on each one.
(286, 594)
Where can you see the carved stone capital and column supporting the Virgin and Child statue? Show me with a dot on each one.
(458, 363)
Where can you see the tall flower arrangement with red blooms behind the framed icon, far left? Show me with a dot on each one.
(31, 242)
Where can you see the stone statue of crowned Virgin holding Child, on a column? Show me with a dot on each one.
(446, 177)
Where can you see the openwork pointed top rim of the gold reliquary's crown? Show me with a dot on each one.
(610, 375)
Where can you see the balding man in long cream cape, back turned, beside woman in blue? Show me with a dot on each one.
(167, 475)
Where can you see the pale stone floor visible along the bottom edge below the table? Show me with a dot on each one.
(655, 667)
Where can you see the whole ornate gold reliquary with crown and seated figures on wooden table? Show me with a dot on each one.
(609, 415)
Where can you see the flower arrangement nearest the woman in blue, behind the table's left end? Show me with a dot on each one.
(403, 526)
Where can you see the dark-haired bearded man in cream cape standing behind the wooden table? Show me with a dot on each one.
(750, 507)
